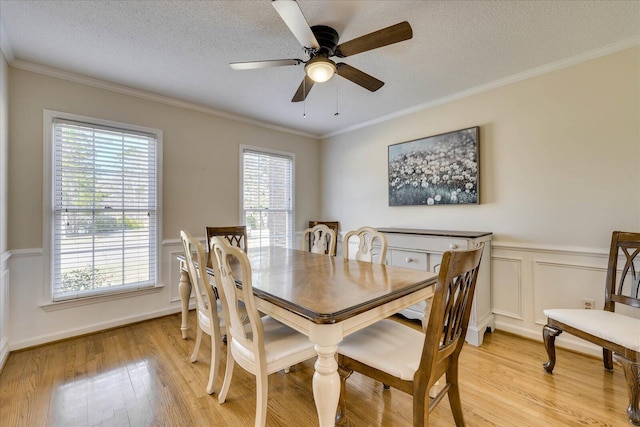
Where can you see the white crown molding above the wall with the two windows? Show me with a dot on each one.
(149, 96)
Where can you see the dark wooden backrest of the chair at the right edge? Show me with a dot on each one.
(623, 288)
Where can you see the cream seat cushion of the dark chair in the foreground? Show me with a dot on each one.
(388, 346)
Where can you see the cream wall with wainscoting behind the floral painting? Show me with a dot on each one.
(559, 171)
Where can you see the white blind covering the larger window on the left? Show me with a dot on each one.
(105, 209)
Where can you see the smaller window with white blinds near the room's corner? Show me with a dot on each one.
(267, 197)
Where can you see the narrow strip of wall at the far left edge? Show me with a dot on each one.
(4, 253)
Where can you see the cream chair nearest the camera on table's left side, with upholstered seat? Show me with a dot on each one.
(269, 346)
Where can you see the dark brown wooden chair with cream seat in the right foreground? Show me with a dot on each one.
(411, 360)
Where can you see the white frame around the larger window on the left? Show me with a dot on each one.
(49, 117)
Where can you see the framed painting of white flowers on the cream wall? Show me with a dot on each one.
(436, 170)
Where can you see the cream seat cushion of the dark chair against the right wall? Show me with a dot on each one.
(614, 327)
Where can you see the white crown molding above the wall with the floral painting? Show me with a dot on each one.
(554, 66)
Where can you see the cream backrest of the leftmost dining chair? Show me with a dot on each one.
(205, 296)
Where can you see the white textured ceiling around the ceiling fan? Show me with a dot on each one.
(181, 49)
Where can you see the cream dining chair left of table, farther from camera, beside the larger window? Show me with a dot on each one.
(208, 309)
